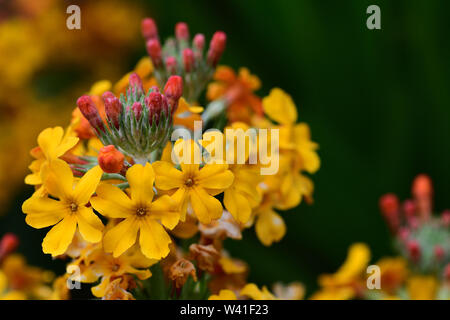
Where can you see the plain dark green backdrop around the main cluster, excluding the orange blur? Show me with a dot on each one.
(377, 103)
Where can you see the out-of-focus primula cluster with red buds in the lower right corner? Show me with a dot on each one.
(422, 269)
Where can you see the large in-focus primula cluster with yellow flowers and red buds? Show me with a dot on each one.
(134, 212)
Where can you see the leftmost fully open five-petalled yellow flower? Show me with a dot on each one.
(67, 212)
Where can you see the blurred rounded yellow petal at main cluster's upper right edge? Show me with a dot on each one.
(280, 107)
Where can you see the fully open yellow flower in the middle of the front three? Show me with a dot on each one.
(140, 213)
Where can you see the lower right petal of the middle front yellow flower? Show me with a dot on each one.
(154, 240)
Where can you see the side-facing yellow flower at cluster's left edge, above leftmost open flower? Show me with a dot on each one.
(53, 143)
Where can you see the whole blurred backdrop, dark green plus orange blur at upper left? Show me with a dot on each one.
(377, 102)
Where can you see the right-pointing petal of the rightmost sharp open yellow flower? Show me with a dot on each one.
(215, 176)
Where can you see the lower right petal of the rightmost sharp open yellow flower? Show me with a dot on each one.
(205, 206)
